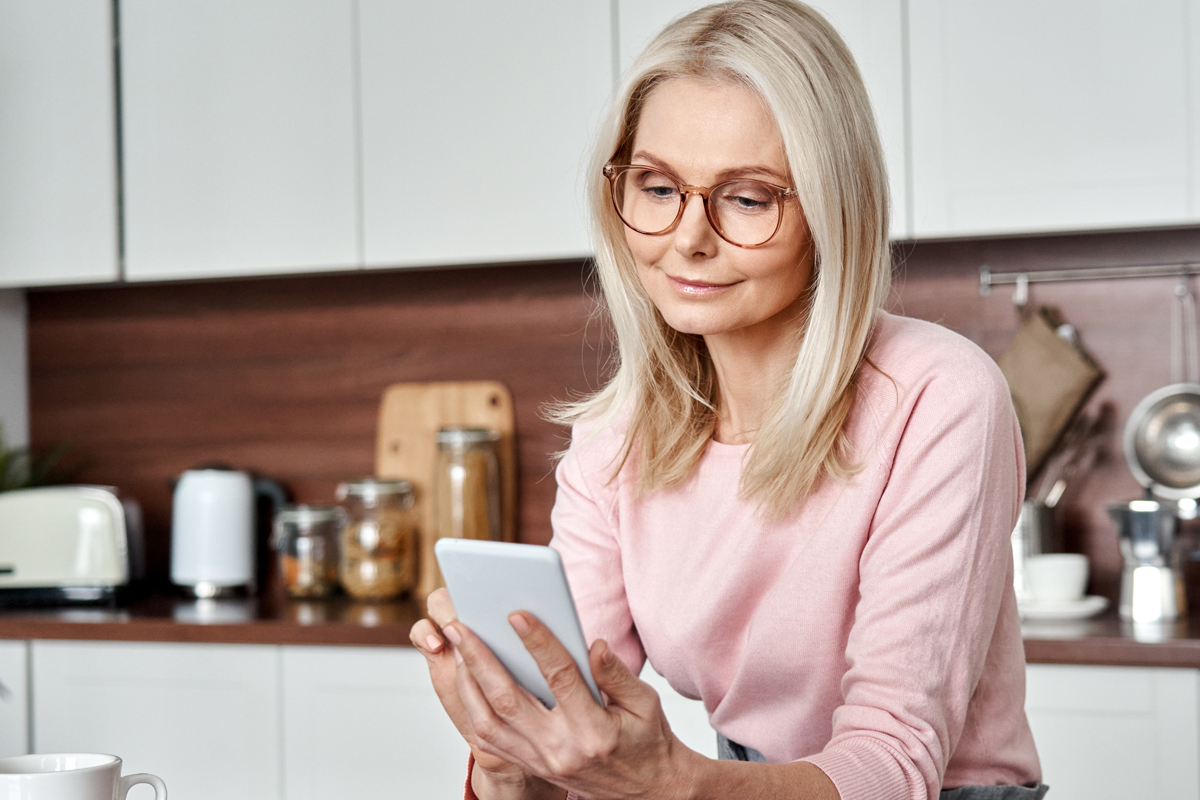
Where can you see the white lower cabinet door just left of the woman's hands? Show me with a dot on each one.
(364, 723)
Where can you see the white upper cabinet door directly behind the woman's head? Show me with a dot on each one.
(873, 29)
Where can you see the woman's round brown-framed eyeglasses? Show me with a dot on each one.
(743, 213)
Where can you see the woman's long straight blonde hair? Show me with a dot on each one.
(665, 383)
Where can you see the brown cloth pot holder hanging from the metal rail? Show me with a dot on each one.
(1051, 380)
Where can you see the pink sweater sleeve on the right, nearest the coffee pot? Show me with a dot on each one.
(932, 581)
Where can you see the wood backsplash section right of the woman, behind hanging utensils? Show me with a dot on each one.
(1125, 324)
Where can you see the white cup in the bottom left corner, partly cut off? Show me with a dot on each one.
(70, 777)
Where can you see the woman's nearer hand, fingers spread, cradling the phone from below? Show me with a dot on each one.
(626, 750)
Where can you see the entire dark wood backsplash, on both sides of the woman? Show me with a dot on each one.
(284, 376)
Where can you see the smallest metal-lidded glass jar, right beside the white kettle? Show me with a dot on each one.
(305, 540)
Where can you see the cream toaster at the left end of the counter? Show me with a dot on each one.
(62, 544)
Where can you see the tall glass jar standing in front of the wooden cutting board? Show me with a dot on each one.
(467, 484)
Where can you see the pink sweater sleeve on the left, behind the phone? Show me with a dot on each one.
(585, 525)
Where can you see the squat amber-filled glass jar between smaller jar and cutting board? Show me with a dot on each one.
(379, 539)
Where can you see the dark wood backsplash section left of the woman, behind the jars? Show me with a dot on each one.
(285, 376)
